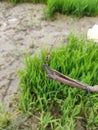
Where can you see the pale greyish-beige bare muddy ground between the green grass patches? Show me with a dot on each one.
(23, 28)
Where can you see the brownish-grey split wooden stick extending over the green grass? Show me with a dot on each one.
(55, 75)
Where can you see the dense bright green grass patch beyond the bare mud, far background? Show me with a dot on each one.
(73, 7)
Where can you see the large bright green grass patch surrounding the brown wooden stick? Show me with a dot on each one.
(59, 106)
